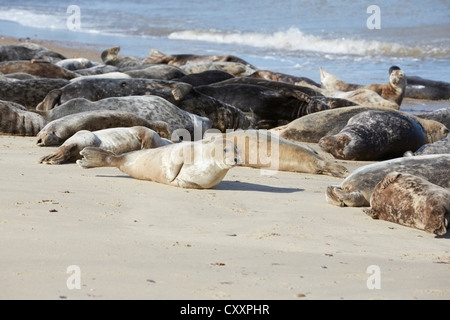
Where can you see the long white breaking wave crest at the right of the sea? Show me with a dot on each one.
(294, 39)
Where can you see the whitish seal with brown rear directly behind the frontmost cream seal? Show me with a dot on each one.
(116, 140)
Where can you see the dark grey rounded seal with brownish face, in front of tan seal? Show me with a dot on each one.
(375, 135)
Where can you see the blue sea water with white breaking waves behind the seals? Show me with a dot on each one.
(346, 38)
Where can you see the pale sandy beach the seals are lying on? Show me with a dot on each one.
(254, 236)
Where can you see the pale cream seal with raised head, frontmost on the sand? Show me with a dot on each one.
(199, 165)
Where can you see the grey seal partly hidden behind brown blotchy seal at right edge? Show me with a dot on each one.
(357, 188)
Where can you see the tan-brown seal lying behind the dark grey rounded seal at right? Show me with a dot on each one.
(312, 127)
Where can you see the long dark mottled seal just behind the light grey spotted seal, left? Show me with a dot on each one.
(97, 89)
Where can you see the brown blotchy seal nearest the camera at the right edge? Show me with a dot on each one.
(411, 201)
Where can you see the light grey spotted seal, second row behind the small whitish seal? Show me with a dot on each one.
(151, 108)
